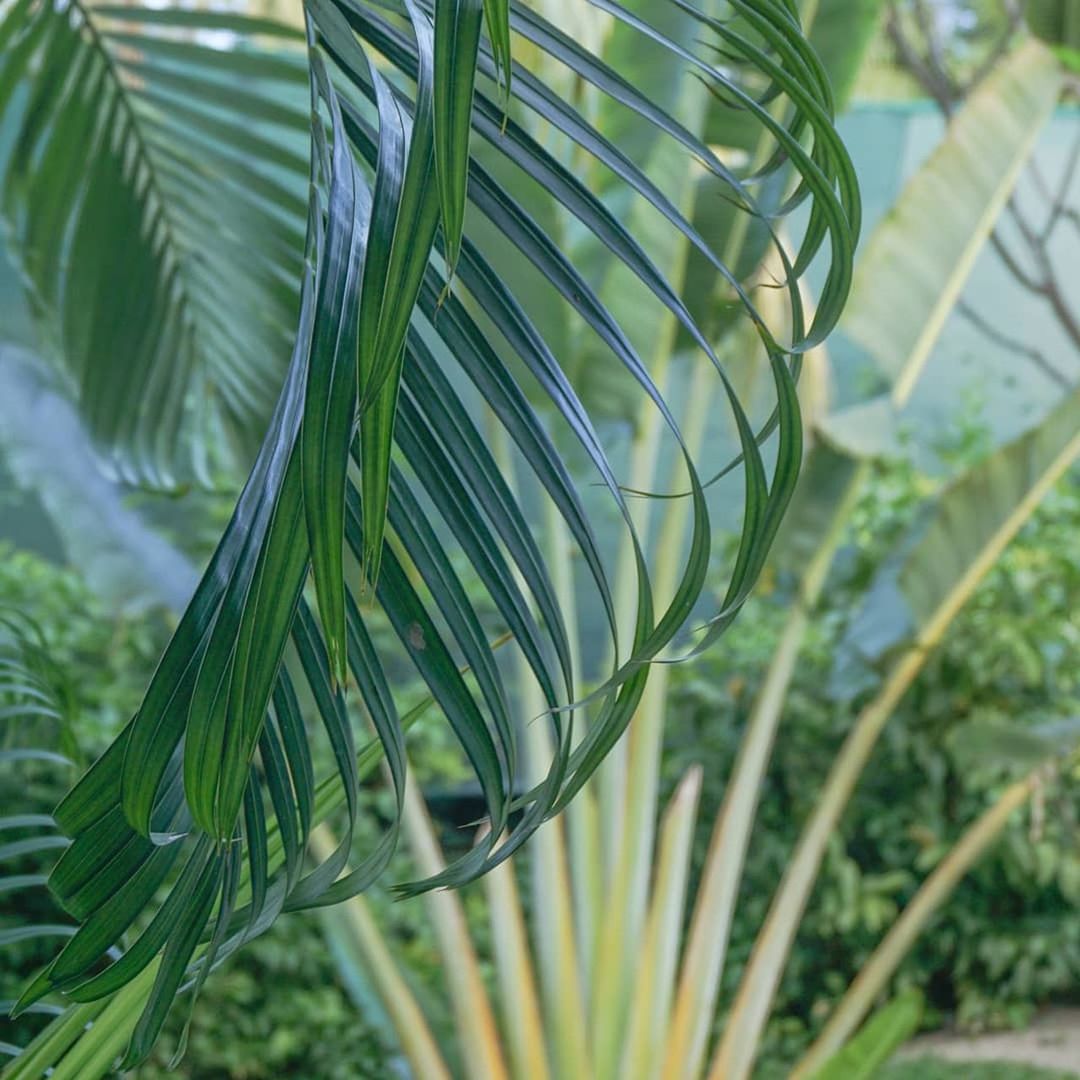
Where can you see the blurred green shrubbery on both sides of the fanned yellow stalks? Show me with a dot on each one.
(1019, 643)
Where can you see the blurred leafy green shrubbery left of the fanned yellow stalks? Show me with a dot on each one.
(279, 1008)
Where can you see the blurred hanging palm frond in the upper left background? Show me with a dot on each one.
(154, 197)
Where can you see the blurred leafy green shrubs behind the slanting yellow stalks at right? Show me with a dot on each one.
(1008, 939)
